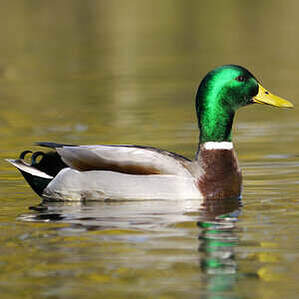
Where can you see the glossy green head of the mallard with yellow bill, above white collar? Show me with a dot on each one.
(221, 93)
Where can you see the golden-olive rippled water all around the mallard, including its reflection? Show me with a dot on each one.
(126, 72)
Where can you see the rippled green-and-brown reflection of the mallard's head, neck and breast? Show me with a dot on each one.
(217, 240)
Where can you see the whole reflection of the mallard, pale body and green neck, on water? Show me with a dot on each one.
(216, 220)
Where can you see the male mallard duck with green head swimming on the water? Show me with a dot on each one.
(67, 172)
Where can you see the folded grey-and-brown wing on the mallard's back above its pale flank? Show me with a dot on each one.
(124, 159)
